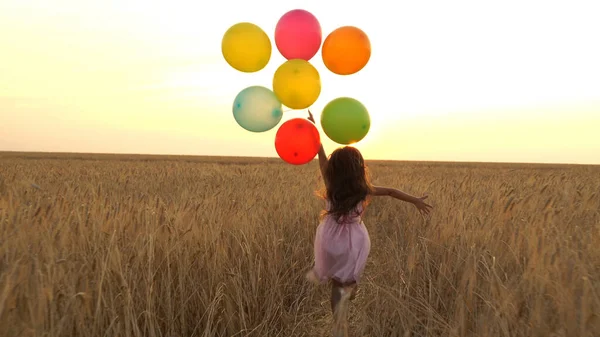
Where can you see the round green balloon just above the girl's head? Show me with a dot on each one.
(345, 120)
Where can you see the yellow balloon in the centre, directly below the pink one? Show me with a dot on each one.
(297, 84)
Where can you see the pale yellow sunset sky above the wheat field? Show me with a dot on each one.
(491, 81)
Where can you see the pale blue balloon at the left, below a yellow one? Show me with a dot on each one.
(257, 109)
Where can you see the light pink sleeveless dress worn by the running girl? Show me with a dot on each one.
(341, 249)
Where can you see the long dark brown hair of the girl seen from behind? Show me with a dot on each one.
(346, 181)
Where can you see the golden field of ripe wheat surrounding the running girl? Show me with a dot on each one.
(108, 245)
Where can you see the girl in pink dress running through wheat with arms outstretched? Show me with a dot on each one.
(342, 241)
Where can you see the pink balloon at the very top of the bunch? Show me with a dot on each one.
(298, 35)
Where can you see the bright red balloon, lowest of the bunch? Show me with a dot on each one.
(297, 141)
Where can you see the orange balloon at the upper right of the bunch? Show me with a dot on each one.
(346, 50)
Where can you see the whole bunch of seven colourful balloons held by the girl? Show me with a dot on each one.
(297, 83)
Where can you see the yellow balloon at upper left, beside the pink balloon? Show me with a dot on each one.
(246, 47)
